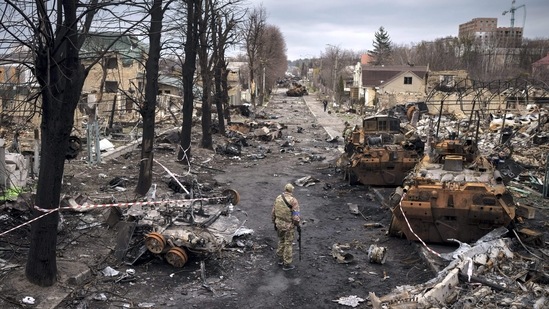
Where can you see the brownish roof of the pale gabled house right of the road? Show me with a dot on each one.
(374, 76)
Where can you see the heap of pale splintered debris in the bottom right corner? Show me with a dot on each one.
(488, 274)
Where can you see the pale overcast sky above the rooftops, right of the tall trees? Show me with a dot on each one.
(308, 25)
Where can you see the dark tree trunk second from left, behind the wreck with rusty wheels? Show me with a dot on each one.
(149, 106)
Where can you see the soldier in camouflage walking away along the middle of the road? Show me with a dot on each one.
(285, 216)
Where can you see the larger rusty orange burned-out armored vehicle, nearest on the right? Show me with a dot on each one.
(453, 193)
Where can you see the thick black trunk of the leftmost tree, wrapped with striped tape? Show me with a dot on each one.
(61, 77)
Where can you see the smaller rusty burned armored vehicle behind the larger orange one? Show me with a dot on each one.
(379, 153)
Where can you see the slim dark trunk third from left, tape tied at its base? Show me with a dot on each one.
(191, 44)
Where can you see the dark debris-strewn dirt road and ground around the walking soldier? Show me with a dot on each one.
(245, 275)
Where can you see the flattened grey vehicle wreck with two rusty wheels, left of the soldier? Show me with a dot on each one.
(174, 229)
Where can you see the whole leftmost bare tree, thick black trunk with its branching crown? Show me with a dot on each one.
(54, 34)
